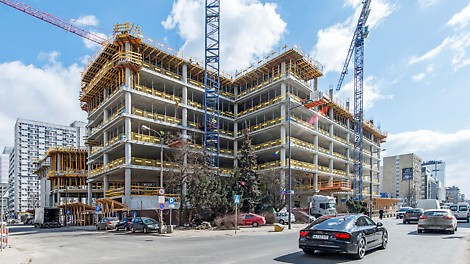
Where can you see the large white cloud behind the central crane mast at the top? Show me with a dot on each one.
(249, 29)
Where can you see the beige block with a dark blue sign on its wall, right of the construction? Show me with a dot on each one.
(402, 176)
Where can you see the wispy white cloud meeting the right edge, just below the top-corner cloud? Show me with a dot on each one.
(456, 45)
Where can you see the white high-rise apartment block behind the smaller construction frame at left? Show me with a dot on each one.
(32, 139)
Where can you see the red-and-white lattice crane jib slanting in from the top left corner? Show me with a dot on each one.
(54, 20)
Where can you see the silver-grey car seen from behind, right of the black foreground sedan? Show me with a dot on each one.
(437, 219)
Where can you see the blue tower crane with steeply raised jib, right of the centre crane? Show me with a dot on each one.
(357, 46)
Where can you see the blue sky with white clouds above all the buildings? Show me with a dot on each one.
(416, 62)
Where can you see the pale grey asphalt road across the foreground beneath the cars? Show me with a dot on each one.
(69, 245)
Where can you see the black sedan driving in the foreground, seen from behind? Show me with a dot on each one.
(352, 234)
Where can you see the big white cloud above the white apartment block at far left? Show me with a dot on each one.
(48, 93)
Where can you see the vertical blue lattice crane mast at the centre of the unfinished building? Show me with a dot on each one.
(212, 84)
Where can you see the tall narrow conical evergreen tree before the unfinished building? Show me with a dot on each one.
(247, 180)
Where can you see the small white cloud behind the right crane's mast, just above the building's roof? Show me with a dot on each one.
(371, 91)
